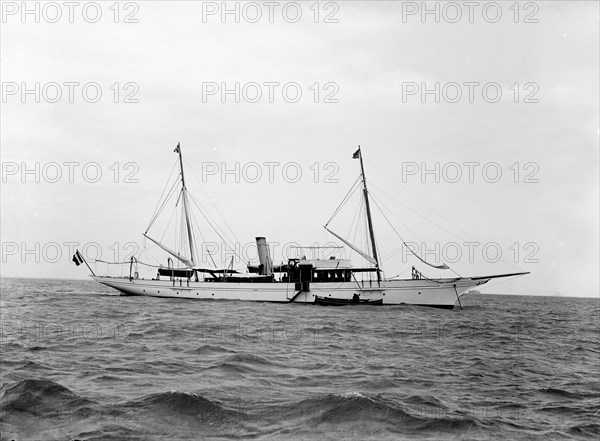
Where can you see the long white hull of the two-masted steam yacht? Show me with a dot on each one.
(441, 293)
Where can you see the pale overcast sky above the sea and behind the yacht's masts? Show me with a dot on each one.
(478, 125)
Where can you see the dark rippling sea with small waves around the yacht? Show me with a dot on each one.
(80, 362)
